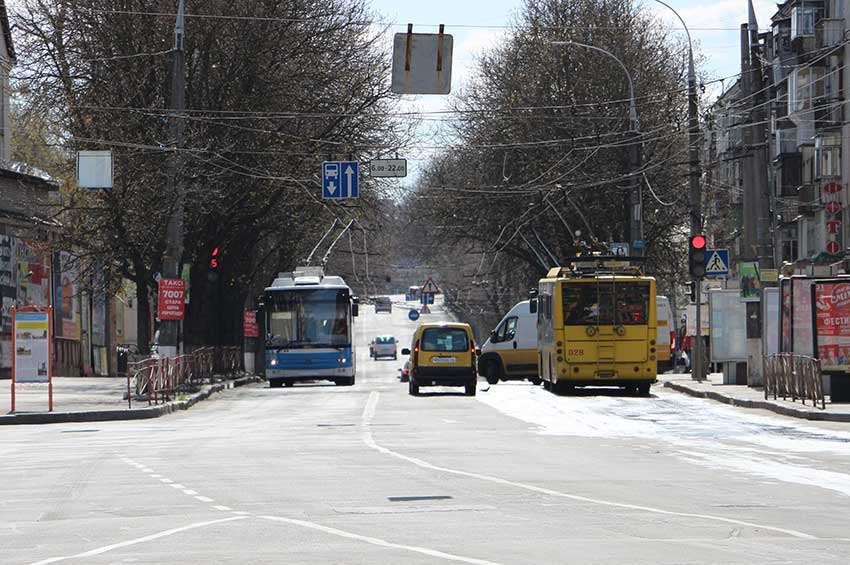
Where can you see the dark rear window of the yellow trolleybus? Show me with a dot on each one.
(606, 303)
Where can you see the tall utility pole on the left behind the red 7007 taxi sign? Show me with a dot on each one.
(170, 329)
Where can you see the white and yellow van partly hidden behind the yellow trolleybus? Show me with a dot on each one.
(510, 353)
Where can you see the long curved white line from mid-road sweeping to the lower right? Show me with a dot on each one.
(369, 440)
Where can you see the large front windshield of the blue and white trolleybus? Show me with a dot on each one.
(307, 318)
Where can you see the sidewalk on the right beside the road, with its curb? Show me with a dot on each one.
(747, 397)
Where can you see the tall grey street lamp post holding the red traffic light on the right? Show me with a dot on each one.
(694, 190)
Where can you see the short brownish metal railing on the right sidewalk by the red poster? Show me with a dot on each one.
(797, 376)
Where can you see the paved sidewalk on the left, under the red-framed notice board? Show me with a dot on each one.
(93, 399)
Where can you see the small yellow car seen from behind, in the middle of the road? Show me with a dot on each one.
(443, 354)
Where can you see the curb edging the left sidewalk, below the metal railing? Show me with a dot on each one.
(125, 414)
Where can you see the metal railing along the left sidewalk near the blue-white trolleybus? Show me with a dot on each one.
(159, 379)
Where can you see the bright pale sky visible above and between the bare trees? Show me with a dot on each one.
(477, 24)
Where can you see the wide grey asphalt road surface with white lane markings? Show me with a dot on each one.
(368, 474)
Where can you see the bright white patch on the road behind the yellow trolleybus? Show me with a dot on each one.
(698, 431)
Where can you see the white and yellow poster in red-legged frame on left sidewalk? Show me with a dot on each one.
(32, 347)
